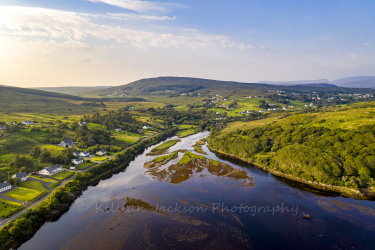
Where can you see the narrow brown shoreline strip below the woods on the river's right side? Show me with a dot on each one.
(362, 194)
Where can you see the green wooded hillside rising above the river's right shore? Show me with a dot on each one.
(334, 146)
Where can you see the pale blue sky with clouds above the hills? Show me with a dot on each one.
(49, 43)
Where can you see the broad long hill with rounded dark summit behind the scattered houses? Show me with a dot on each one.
(175, 86)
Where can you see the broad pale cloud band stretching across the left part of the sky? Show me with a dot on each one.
(62, 27)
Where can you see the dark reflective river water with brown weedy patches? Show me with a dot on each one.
(164, 208)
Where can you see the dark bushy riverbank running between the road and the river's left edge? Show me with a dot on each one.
(21, 229)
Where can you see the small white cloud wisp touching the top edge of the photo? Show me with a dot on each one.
(139, 6)
